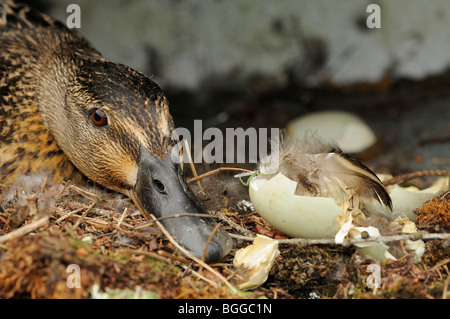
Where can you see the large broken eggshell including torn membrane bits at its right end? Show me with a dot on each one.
(310, 217)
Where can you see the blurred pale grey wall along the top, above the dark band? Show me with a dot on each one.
(192, 45)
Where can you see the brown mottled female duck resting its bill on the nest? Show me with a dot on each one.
(65, 110)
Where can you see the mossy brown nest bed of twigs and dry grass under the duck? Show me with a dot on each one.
(54, 226)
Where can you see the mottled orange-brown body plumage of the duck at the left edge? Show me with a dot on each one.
(26, 144)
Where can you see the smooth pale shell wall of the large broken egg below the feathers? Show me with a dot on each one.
(295, 216)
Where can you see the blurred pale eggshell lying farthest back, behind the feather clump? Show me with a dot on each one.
(345, 129)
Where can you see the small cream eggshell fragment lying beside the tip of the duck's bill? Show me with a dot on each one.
(256, 259)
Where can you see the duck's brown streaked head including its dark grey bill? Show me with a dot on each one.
(114, 125)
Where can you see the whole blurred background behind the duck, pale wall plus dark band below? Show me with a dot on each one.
(263, 63)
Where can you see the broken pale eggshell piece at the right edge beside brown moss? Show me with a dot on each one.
(405, 199)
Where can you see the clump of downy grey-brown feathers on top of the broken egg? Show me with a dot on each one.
(321, 169)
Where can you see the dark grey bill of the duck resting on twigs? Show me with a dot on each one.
(161, 190)
